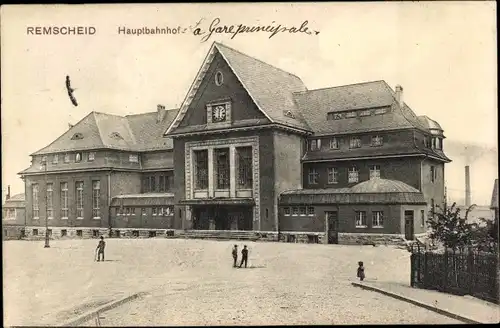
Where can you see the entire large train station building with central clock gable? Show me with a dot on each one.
(250, 149)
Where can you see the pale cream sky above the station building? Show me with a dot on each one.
(442, 53)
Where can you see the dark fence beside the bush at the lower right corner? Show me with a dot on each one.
(470, 272)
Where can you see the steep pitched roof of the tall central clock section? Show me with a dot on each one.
(270, 88)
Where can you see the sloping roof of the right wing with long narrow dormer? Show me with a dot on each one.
(368, 95)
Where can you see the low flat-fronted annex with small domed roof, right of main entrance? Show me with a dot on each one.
(373, 211)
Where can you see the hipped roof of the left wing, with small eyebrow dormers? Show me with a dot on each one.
(141, 132)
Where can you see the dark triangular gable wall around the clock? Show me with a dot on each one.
(242, 106)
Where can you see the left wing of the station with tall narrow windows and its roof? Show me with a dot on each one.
(74, 181)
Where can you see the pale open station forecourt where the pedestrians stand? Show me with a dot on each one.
(192, 282)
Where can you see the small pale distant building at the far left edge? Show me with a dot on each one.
(14, 216)
